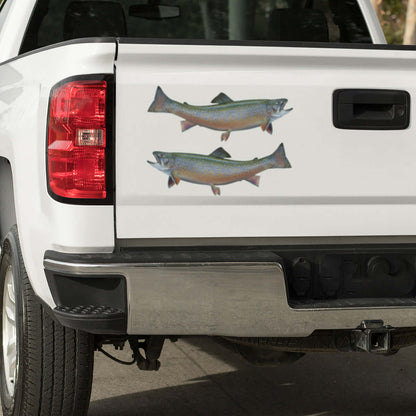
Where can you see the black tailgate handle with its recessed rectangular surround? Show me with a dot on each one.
(371, 109)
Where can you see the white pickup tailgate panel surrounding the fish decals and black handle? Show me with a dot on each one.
(341, 182)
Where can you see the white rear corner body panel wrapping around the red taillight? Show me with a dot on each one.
(43, 223)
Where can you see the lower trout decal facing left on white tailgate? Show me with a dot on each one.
(216, 168)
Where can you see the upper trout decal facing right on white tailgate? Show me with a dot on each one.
(225, 115)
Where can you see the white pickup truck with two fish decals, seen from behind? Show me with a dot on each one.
(241, 169)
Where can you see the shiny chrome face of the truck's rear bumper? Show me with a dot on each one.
(233, 299)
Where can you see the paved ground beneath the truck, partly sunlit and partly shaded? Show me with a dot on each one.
(200, 377)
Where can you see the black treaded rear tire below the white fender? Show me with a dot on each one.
(55, 364)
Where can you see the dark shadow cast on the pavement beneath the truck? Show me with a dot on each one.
(320, 384)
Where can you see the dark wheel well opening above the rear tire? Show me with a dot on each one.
(7, 208)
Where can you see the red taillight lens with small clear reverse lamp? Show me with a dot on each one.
(77, 140)
